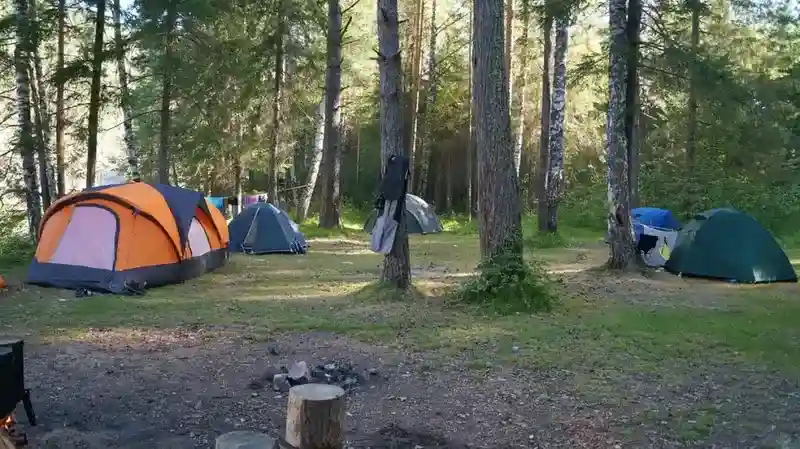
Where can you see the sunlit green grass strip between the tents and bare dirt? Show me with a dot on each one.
(328, 289)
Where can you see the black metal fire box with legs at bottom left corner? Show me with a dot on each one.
(12, 392)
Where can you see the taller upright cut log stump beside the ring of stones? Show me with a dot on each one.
(315, 417)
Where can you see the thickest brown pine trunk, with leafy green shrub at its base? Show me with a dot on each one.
(498, 189)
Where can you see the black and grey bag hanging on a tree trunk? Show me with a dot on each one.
(391, 203)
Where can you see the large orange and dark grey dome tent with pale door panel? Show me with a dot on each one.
(135, 235)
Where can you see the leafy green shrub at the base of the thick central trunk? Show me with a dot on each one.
(507, 284)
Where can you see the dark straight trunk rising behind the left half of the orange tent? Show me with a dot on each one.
(94, 102)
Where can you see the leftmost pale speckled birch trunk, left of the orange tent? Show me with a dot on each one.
(25, 143)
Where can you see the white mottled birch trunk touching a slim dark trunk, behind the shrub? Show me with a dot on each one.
(555, 172)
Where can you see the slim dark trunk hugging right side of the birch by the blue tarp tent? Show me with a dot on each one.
(633, 27)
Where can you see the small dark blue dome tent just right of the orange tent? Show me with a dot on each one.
(264, 229)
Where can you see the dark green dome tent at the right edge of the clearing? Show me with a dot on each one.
(730, 245)
